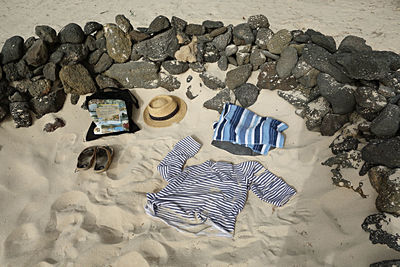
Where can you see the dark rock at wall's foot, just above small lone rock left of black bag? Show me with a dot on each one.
(50, 103)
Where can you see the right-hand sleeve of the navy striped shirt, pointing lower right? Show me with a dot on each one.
(272, 189)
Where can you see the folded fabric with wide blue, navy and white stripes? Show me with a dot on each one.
(243, 127)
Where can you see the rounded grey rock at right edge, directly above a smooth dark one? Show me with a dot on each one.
(387, 123)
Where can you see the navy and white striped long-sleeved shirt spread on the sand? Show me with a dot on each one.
(206, 198)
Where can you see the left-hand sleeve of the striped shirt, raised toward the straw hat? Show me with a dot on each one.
(172, 164)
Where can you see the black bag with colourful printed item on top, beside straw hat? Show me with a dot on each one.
(111, 111)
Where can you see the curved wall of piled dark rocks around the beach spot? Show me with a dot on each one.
(349, 88)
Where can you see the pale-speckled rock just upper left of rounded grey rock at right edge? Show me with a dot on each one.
(367, 97)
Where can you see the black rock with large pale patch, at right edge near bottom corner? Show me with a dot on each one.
(382, 229)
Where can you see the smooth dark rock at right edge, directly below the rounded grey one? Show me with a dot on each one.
(383, 152)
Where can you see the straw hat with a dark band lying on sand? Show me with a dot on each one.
(164, 110)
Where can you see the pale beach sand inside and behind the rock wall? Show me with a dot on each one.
(51, 216)
